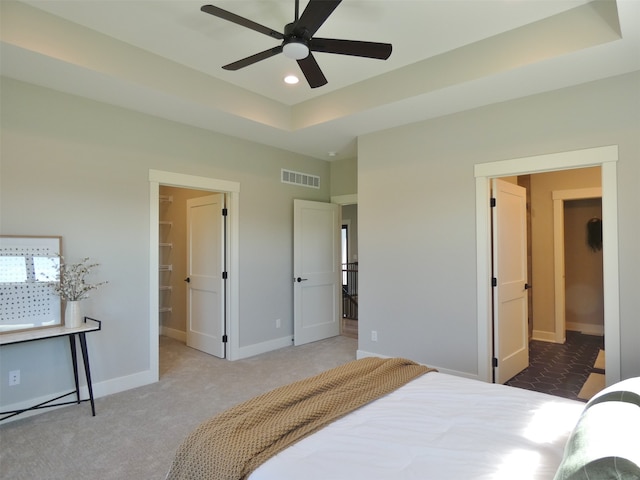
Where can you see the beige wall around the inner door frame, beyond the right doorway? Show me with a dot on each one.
(542, 187)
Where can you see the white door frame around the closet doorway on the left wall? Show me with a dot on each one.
(232, 190)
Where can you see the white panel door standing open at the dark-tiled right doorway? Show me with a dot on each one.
(511, 332)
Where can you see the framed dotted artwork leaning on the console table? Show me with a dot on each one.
(28, 270)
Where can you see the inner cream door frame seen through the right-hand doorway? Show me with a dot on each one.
(559, 197)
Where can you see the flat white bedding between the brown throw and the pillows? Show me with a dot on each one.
(437, 427)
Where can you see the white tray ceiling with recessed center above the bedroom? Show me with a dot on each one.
(164, 57)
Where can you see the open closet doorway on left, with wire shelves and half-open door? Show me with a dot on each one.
(192, 250)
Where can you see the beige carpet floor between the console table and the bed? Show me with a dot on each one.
(135, 434)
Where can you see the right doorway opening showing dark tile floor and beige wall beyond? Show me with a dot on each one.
(566, 336)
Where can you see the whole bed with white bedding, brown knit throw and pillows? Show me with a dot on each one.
(435, 427)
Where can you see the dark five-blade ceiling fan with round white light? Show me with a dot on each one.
(298, 41)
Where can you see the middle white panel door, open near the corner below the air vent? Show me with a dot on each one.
(317, 286)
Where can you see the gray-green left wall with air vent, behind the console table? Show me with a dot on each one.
(80, 169)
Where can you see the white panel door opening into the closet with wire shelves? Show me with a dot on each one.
(205, 285)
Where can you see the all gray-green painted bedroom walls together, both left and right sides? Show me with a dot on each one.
(79, 169)
